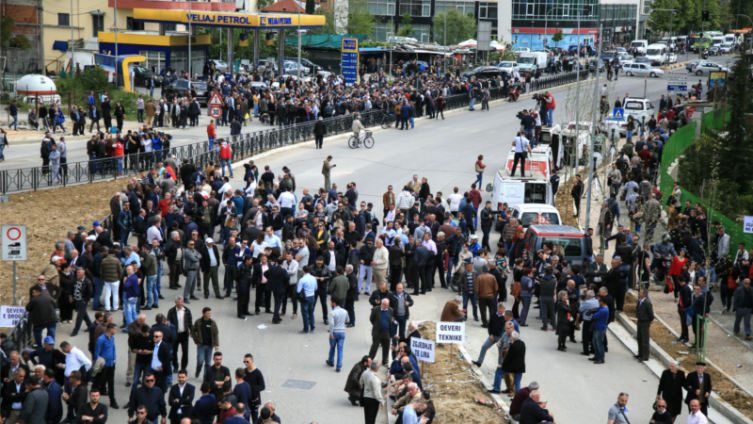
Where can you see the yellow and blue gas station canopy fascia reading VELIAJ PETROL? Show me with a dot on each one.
(229, 20)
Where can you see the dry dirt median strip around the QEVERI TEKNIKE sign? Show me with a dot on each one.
(454, 386)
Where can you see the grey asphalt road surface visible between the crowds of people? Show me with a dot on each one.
(443, 151)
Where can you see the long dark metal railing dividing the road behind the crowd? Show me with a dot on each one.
(243, 146)
